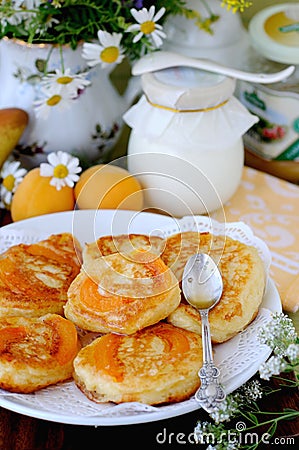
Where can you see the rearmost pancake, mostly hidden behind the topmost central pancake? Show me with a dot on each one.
(123, 243)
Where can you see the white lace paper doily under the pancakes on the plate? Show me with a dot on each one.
(238, 358)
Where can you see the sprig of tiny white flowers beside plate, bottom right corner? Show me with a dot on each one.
(241, 408)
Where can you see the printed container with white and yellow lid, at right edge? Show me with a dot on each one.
(272, 144)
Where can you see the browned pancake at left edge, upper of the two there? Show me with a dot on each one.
(34, 279)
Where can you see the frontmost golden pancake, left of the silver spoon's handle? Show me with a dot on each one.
(158, 364)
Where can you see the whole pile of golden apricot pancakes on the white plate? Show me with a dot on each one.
(126, 291)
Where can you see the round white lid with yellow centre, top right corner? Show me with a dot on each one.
(274, 32)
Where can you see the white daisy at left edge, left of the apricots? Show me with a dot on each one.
(11, 176)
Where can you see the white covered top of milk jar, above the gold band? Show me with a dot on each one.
(187, 88)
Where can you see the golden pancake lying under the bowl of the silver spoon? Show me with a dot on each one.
(243, 287)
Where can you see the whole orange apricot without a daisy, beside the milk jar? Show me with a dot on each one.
(107, 186)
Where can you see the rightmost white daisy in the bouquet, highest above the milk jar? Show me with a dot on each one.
(147, 25)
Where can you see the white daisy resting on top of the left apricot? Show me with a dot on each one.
(63, 168)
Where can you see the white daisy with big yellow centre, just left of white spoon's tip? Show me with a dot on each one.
(107, 52)
